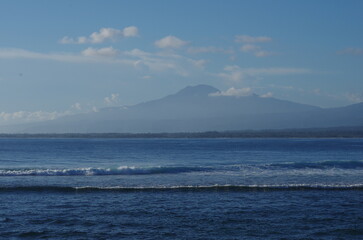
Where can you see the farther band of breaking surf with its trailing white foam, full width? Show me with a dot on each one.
(326, 168)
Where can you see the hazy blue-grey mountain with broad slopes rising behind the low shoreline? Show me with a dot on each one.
(197, 109)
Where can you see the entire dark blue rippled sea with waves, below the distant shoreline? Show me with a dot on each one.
(181, 188)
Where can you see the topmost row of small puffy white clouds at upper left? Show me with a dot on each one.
(102, 35)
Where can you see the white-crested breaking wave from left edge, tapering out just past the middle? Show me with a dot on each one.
(125, 170)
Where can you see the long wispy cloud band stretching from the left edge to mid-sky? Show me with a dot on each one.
(164, 61)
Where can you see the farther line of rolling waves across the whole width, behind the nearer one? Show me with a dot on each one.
(127, 170)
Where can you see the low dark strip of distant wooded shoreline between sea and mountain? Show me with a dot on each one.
(339, 132)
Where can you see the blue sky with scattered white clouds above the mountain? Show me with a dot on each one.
(66, 57)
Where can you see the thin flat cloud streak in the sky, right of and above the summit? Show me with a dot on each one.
(236, 73)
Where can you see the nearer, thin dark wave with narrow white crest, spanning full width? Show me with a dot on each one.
(221, 188)
